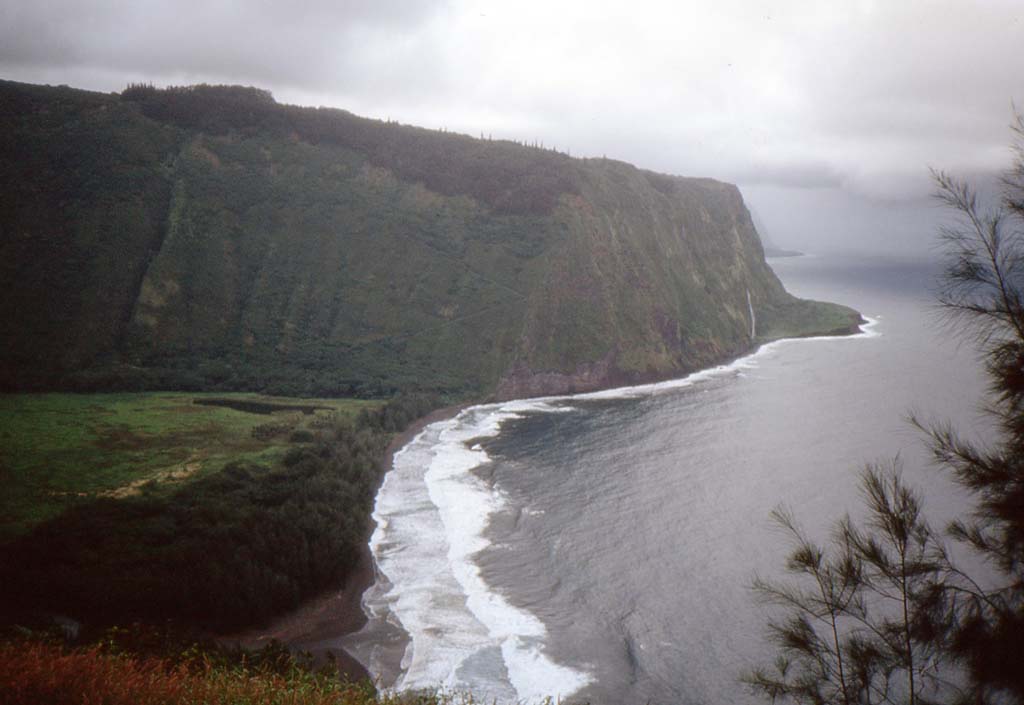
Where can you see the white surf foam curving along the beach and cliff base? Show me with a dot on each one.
(432, 514)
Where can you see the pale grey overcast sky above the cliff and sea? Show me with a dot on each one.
(827, 114)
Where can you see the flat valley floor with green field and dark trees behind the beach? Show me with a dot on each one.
(225, 549)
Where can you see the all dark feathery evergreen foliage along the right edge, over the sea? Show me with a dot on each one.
(883, 615)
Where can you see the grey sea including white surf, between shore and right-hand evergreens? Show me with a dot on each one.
(603, 546)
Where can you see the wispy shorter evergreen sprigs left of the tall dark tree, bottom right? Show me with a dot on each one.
(854, 630)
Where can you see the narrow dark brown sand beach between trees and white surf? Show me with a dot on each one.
(339, 611)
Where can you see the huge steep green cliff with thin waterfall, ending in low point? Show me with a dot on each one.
(209, 238)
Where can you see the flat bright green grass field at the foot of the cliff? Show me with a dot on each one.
(57, 449)
